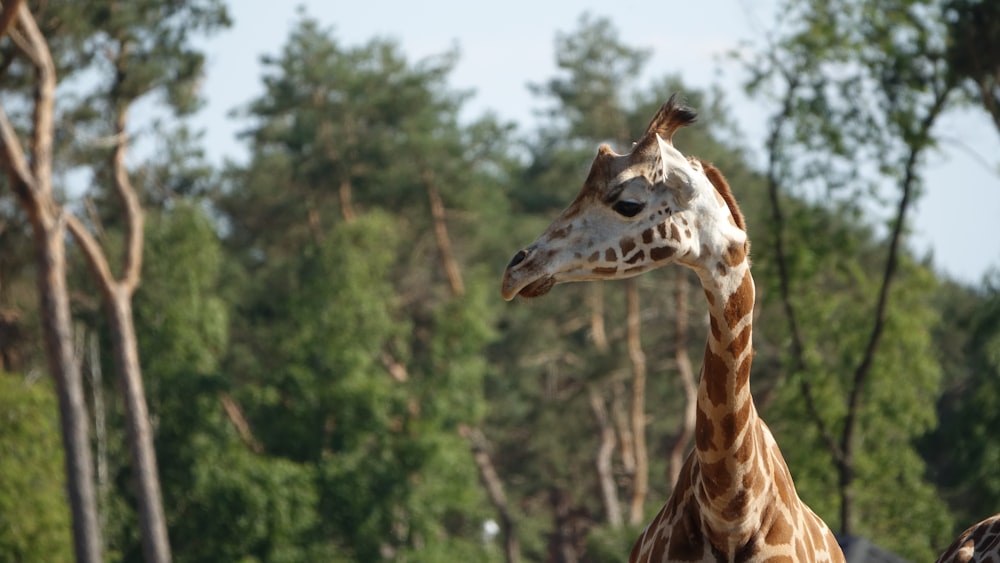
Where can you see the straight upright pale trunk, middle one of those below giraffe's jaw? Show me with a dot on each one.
(638, 359)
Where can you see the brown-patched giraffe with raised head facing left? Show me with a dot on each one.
(735, 499)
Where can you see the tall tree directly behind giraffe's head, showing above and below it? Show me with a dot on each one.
(592, 361)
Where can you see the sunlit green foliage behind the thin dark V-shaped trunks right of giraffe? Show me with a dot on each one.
(840, 261)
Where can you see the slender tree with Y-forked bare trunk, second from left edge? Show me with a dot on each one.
(147, 48)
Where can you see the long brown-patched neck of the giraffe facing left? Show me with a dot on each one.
(728, 443)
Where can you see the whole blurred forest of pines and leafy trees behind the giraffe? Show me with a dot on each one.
(304, 356)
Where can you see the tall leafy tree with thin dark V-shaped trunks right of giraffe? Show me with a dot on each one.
(859, 85)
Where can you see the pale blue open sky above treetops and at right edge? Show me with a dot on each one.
(504, 46)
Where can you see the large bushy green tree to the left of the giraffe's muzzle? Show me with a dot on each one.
(359, 326)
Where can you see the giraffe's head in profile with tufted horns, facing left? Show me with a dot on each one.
(636, 212)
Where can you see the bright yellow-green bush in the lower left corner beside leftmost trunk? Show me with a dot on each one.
(34, 517)
